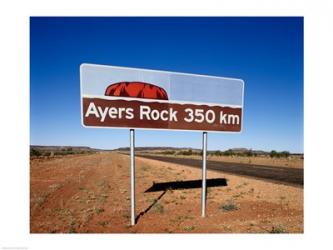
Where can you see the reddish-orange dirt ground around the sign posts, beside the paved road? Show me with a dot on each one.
(91, 194)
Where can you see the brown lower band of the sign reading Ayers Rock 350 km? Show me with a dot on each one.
(161, 115)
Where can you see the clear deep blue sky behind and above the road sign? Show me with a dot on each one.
(267, 53)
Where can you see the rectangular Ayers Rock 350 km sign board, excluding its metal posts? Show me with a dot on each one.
(121, 97)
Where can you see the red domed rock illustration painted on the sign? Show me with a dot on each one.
(136, 90)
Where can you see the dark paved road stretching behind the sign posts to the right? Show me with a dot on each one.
(290, 176)
